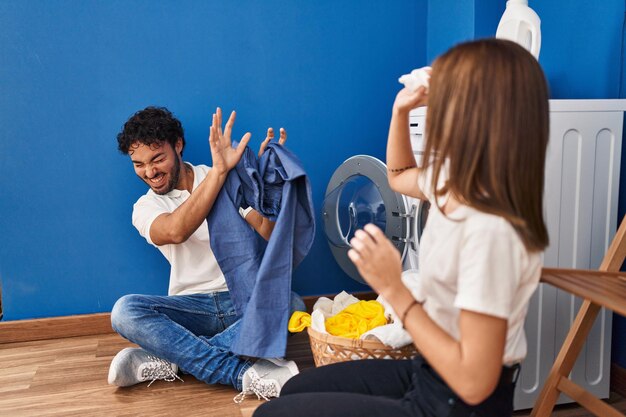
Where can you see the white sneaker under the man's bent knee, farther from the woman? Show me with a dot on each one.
(134, 365)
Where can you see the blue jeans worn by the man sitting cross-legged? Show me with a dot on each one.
(192, 331)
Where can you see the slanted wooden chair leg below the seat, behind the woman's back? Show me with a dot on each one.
(567, 357)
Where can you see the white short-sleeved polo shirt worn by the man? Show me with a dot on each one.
(194, 269)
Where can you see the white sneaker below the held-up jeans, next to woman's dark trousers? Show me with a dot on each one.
(266, 378)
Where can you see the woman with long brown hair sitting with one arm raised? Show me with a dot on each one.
(480, 253)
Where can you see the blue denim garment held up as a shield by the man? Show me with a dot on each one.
(259, 276)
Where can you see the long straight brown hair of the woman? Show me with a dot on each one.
(488, 119)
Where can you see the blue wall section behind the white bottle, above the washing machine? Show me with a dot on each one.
(581, 45)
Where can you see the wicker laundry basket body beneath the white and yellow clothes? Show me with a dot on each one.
(327, 349)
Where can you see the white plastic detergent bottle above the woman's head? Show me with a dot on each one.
(520, 24)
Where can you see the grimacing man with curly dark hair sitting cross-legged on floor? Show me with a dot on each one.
(193, 327)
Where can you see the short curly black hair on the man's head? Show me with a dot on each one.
(151, 126)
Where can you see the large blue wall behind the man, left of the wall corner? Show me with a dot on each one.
(71, 72)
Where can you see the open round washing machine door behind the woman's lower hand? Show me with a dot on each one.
(358, 193)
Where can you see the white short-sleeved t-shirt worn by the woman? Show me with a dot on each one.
(474, 261)
